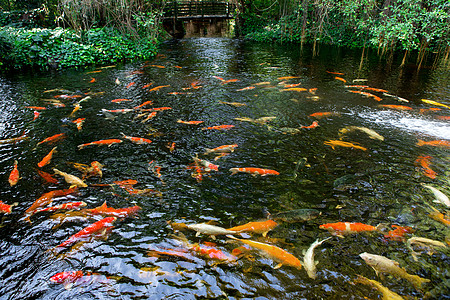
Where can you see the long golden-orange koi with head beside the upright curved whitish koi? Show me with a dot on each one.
(281, 256)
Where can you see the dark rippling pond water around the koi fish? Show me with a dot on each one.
(382, 184)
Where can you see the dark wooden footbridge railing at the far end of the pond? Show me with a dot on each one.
(185, 10)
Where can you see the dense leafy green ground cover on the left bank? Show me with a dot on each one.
(61, 48)
